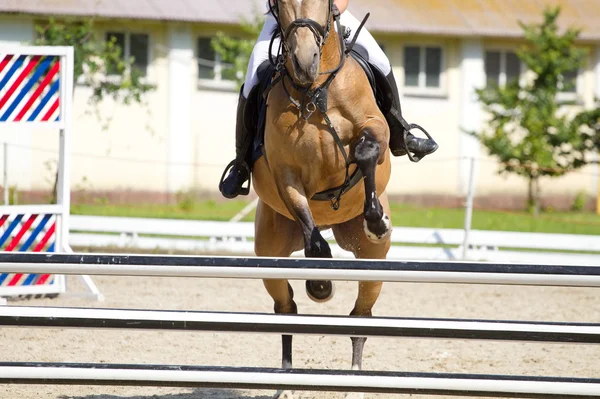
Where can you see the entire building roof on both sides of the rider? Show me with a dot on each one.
(442, 17)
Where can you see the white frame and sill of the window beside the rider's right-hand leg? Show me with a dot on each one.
(421, 89)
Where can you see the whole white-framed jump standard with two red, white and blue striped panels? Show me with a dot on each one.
(36, 93)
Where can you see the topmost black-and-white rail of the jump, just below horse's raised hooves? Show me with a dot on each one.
(302, 268)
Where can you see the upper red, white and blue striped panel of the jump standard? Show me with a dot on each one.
(30, 88)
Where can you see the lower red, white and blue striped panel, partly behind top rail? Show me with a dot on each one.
(27, 233)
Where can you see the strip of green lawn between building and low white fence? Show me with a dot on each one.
(402, 215)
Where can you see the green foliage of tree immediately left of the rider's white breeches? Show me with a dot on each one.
(236, 51)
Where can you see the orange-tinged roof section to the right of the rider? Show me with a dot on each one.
(475, 17)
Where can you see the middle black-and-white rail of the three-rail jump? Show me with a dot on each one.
(48, 317)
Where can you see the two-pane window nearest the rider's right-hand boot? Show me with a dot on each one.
(423, 67)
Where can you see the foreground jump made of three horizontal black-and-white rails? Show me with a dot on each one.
(311, 380)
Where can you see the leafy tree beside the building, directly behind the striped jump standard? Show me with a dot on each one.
(98, 64)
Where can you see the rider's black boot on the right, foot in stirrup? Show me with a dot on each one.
(400, 137)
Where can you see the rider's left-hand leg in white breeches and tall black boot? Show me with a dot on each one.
(231, 186)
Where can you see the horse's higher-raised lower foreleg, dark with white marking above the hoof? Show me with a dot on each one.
(367, 153)
